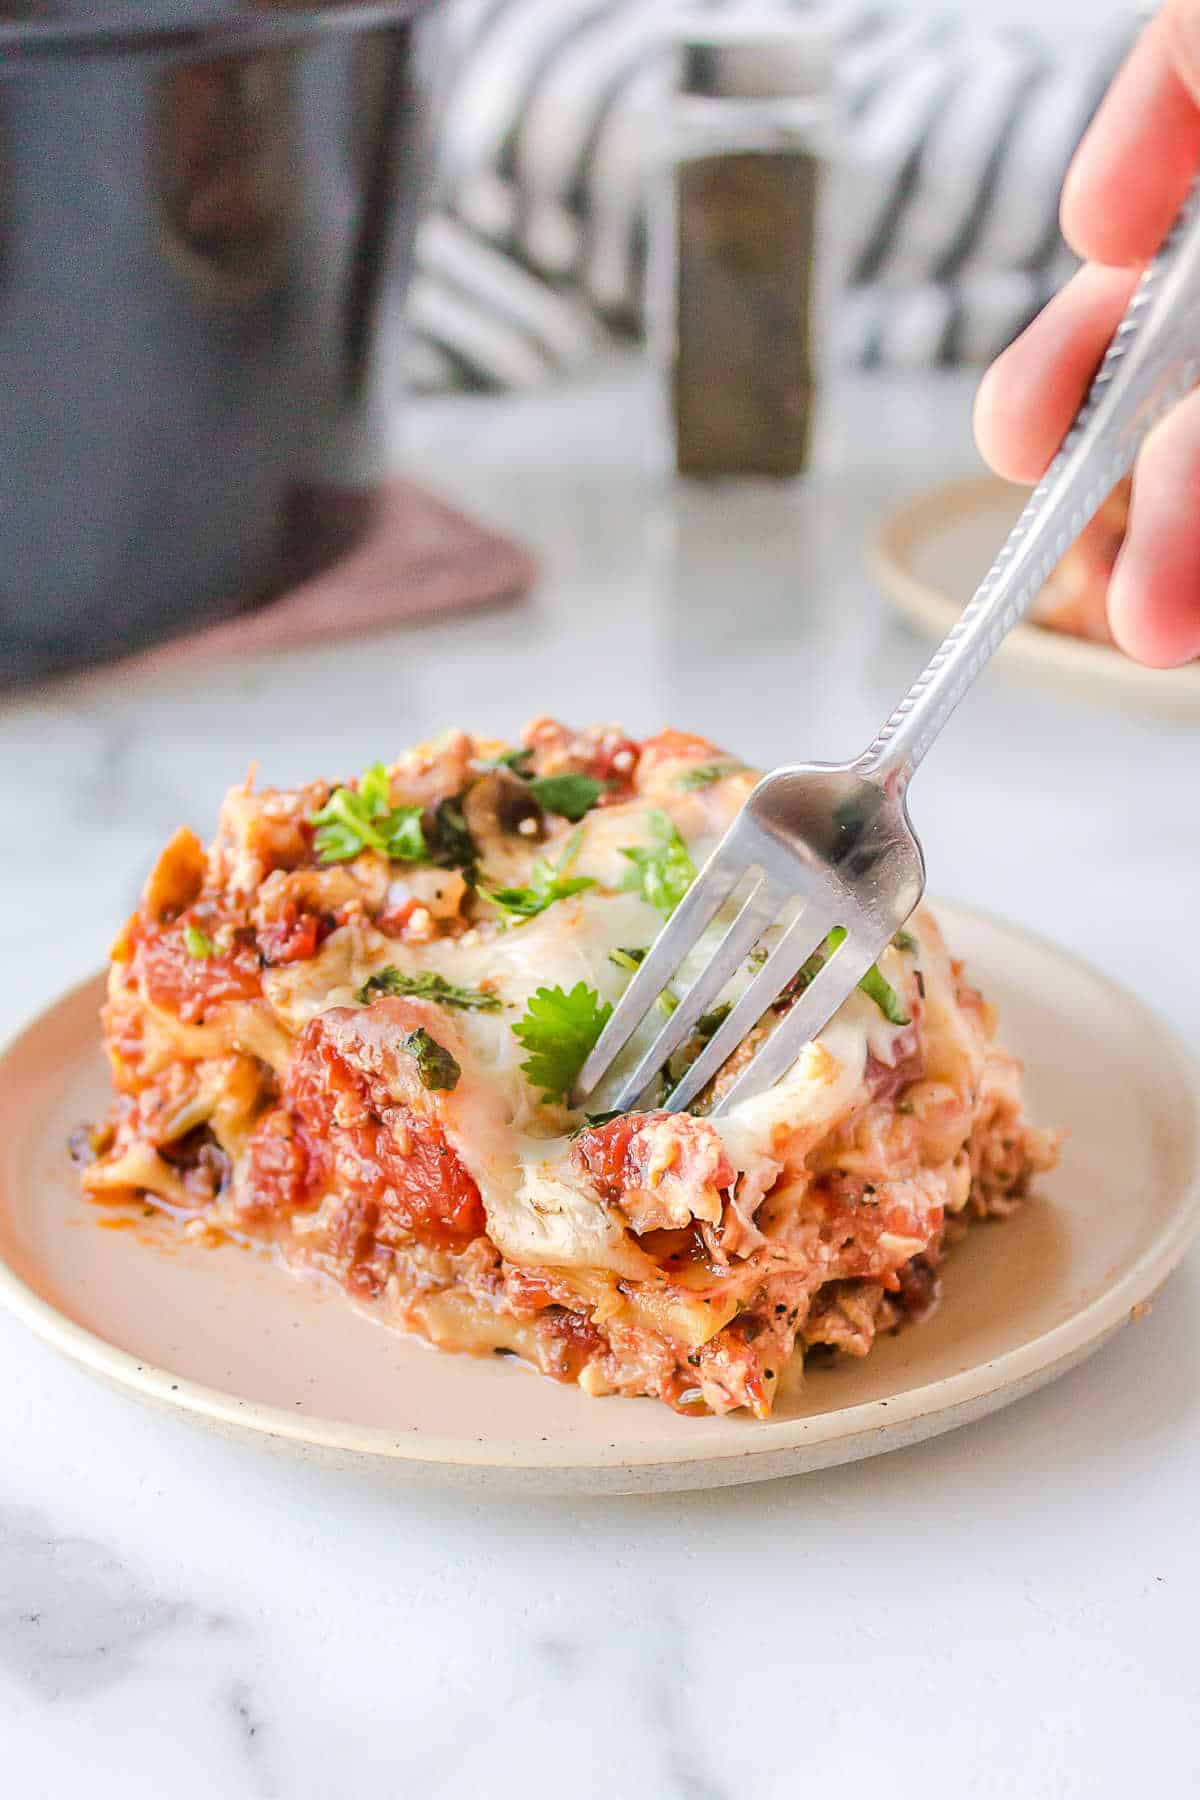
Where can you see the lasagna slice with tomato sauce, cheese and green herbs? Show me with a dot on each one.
(350, 1032)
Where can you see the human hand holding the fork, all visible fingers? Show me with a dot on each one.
(1120, 199)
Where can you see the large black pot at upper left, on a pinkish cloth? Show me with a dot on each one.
(202, 213)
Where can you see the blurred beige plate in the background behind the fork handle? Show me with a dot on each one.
(931, 557)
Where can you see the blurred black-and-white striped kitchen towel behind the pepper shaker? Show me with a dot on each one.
(958, 139)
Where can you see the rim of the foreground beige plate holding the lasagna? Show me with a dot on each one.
(942, 1403)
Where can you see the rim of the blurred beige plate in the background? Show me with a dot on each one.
(1050, 654)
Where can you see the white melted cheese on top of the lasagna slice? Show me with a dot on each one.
(541, 1207)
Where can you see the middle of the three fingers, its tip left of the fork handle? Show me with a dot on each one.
(1035, 388)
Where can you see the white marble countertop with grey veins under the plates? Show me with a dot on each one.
(1007, 1612)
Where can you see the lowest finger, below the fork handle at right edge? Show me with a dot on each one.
(1154, 597)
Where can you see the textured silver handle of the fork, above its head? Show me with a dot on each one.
(1154, 359)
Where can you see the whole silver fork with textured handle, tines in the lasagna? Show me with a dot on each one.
(836, 838)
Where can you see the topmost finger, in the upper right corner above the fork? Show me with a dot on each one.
(1140, 154)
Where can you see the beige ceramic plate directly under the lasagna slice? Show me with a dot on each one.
(242, 1345)
